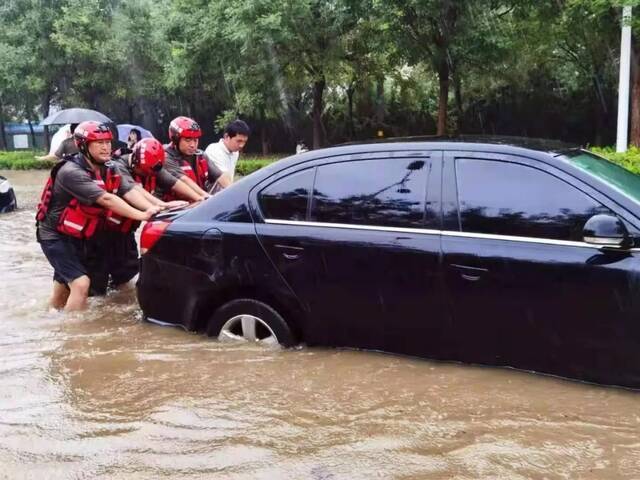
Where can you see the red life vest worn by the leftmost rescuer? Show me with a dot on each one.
(77, 220)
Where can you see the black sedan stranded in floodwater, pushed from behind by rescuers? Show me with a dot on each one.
(493, 251)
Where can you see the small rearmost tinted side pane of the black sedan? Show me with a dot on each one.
(287, 198)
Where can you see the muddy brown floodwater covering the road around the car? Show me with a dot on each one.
(103, 394)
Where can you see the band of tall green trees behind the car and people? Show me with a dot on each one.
(342, 69)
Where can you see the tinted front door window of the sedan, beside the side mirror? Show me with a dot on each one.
(505, 198)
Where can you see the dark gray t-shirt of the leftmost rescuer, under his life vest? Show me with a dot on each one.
(74, 181)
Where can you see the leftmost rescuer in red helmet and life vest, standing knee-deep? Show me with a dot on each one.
(78, 199)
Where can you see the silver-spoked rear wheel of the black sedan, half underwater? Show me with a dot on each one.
(250, 321)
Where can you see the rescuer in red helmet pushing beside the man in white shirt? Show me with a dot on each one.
(186, 162)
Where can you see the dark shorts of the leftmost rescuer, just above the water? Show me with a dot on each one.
(72, 258)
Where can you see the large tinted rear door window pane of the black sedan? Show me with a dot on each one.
(385, 192)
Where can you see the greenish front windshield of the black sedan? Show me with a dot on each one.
(619, 178)
